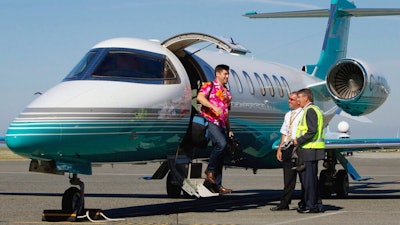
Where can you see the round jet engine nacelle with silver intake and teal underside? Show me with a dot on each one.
(355, 88)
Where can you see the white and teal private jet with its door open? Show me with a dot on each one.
(131, 100)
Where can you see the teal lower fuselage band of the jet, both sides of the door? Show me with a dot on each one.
(134, 139)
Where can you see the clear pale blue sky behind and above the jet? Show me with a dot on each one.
(42, 40)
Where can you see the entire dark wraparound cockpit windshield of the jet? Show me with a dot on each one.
(125, 65)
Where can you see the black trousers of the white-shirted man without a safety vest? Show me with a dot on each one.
(289, 178)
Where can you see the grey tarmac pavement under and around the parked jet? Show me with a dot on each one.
(121, 193)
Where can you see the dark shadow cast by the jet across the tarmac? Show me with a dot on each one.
(239, 200)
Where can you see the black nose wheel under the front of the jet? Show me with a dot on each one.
(71, 201)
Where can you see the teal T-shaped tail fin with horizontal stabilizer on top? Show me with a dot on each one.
(337, 31)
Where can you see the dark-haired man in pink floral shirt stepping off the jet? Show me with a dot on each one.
(215, 100)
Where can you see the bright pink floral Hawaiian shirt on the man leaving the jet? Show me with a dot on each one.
(219, 96)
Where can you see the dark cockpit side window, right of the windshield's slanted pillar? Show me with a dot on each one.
(129, 65)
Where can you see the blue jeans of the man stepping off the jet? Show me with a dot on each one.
(218, 138)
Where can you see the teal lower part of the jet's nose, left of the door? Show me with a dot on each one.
(95, 138)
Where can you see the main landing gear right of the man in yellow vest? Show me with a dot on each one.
(332, 181)
